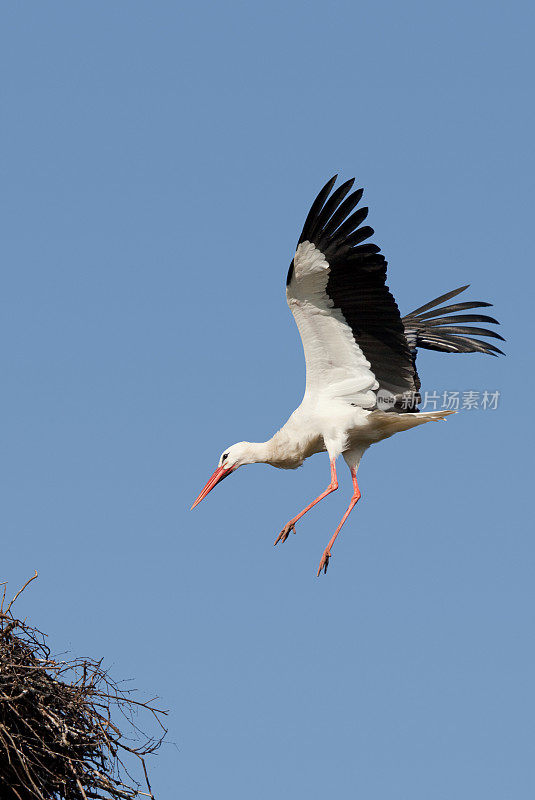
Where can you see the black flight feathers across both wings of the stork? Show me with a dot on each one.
(357, 287)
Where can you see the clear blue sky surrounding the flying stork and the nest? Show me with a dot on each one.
(158, 160)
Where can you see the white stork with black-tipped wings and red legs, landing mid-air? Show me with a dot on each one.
(361, 380)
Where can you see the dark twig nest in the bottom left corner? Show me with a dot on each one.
(59, 729)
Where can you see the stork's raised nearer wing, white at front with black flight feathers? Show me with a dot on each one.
(353, 338)
